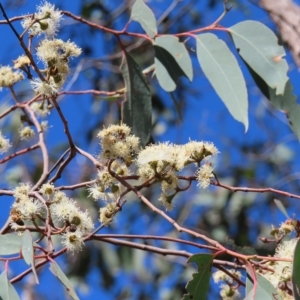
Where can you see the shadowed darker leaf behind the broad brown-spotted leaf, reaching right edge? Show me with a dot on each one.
(286, 102)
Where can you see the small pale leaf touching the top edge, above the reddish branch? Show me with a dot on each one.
(143, 14)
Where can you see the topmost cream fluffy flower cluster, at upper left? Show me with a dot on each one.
(47, 20)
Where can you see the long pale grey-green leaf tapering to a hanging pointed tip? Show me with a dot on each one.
(222, 70)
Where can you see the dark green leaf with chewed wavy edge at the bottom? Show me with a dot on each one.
(197, 288)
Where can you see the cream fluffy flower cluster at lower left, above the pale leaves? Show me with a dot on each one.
(75, 224)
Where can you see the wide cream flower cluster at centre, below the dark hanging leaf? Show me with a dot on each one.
(162, 162)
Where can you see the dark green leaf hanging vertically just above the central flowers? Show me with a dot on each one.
(137, 108)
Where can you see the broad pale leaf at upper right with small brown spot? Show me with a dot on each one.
(258, 46)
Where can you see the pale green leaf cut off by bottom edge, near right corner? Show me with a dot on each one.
(264, 289)
